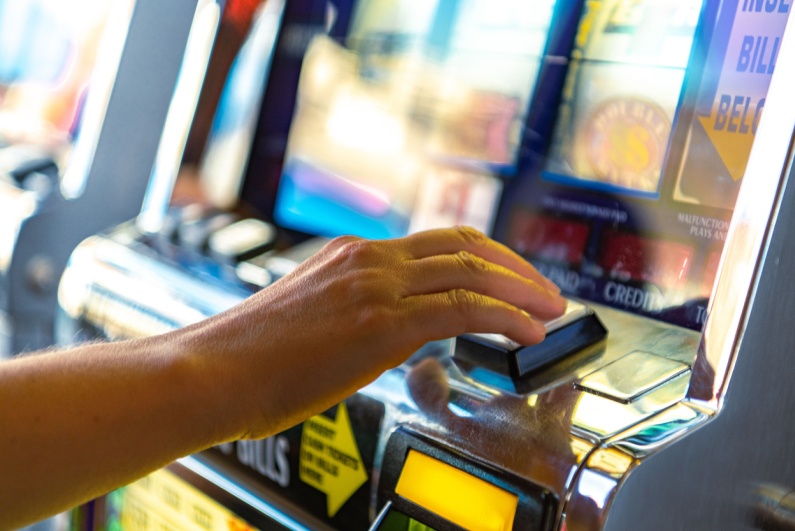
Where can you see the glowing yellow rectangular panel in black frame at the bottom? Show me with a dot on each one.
(465, 500)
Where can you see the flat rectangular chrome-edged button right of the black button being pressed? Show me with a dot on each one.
(632, 376)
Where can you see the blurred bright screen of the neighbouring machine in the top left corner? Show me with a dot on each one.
(48, 50)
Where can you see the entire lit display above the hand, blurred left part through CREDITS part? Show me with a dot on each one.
(422, 116)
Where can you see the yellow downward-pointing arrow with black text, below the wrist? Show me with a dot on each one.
(330, 460)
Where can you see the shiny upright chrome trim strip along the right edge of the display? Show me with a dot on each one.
(754, 215)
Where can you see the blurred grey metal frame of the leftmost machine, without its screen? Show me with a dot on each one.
(107, 174)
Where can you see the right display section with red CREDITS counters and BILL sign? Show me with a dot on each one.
(632, 203)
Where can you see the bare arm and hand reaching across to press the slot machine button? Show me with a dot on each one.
(79, 423)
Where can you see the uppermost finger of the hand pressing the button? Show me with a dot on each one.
(456, 239)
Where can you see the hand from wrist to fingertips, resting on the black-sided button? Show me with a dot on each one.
(358, 308)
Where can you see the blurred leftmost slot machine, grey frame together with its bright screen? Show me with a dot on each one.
(82, 135)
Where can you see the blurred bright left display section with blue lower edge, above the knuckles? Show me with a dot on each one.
(414, 118)
